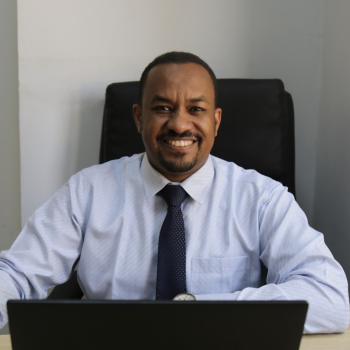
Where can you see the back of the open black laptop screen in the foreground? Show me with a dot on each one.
(180, 325)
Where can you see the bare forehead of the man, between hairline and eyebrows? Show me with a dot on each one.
(176, 81)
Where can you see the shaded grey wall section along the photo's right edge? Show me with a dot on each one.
(332, 181)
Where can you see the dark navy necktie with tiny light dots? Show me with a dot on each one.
(171, 269)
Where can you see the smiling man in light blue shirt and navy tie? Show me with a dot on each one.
(115, 218)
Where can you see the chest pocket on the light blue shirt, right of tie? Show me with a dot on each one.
(226, 275)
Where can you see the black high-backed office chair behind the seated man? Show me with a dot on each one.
(256, 132)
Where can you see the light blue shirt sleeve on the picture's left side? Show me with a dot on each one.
(43, 254)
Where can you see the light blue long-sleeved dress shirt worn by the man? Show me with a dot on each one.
(111, 216)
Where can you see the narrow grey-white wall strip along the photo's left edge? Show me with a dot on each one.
(9, 133)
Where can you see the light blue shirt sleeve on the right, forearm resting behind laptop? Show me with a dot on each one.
(300, 267)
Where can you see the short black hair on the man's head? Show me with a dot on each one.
(177, 57)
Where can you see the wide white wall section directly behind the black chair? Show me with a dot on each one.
(70, 50)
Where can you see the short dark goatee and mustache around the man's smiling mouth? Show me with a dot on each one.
(179, 165)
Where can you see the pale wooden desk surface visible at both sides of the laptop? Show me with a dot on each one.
(308, 342)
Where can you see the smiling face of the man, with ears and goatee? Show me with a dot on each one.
(178, 120)
